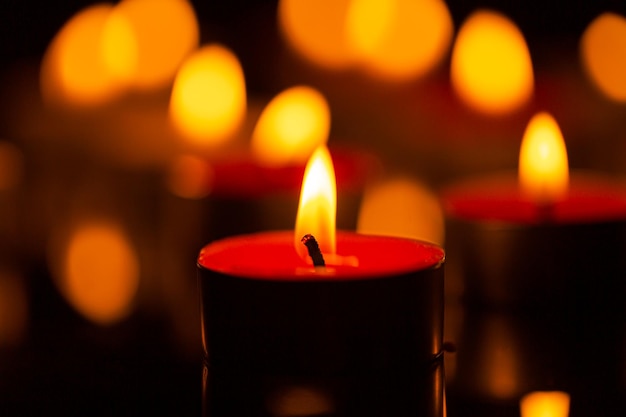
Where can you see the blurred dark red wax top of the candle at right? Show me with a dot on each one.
(591, 198)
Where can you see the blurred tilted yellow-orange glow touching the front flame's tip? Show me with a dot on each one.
(292, 125)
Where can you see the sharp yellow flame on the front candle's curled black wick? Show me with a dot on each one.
(317, 209)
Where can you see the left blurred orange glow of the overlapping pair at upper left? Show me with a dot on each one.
(80, 66)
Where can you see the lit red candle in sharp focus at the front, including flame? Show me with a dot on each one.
(365, 330)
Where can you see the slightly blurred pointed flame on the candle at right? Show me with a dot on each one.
(543, 169)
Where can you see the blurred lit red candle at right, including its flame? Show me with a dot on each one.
(545, 254)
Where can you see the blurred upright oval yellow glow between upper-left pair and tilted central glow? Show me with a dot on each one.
(208, 101)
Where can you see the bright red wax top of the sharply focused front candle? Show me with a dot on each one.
(271, 255)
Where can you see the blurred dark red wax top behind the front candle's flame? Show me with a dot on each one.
(242, 177)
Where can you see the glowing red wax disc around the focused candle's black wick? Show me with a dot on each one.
(296, 270)
